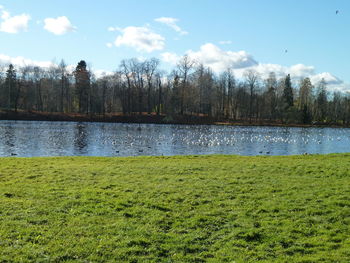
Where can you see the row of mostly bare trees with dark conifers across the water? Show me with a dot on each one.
(191, 89)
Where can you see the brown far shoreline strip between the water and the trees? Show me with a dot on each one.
(149, 119)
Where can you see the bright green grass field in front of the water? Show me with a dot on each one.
(175, 209)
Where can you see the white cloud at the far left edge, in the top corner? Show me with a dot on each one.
(13, 24)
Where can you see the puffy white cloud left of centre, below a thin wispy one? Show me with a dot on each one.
(140, 38)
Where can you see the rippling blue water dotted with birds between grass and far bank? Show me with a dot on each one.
(24, 138)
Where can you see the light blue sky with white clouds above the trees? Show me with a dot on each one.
(302, 38)
